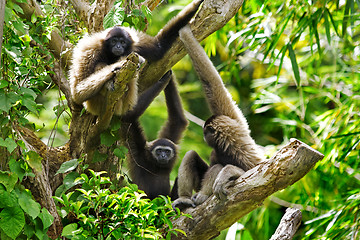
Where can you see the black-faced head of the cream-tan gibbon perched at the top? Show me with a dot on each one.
(118, 42)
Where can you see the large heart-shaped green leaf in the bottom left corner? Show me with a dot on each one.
(12, 221)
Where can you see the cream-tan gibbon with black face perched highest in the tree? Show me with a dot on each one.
(97, 59)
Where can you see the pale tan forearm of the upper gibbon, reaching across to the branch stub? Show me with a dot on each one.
(90, 86)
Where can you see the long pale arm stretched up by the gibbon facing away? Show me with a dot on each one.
(219, 99)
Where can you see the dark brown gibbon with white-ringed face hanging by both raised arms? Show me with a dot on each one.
(150, 163)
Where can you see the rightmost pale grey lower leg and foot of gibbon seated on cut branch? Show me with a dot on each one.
(225, 180)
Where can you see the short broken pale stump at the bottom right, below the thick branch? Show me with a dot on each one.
(288, 225)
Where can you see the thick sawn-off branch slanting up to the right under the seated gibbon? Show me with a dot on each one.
(289, 165)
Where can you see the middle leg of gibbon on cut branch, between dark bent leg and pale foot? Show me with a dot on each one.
(207, 184)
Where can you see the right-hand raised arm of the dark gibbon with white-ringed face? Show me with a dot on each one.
(176, 123)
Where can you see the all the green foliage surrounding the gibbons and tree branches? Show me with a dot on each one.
(293, 67)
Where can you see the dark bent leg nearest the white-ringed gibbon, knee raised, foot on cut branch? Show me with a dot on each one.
(191, 172)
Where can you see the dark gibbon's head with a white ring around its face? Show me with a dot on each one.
(163, 151)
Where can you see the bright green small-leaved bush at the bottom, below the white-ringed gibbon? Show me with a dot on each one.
(94, 212)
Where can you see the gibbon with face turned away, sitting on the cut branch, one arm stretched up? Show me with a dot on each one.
(227, 132)
